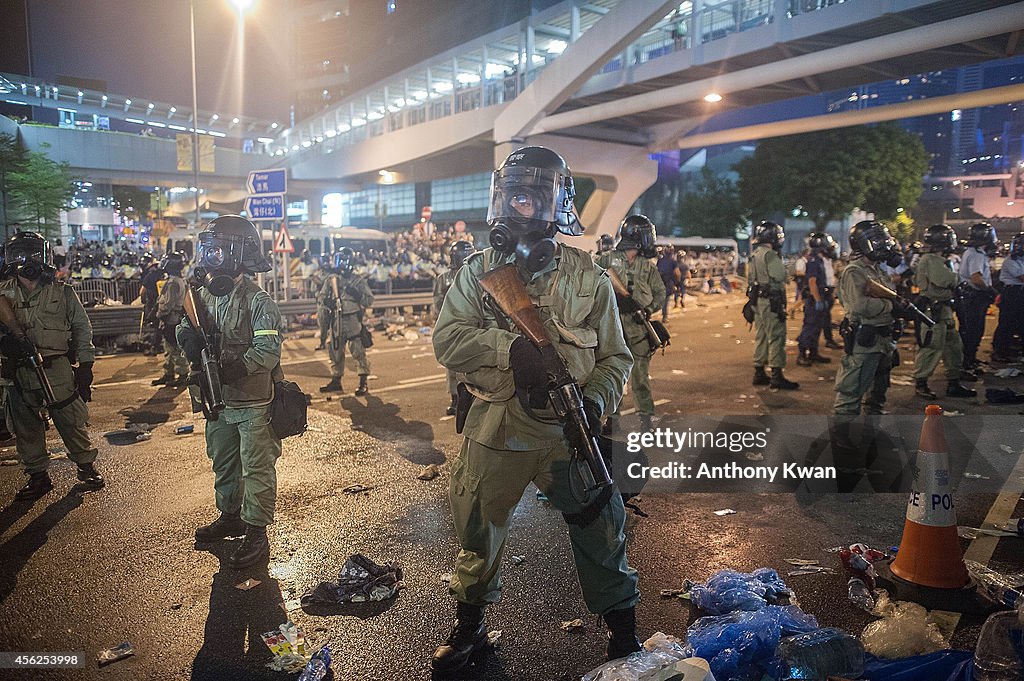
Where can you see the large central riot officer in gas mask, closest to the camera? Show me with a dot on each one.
(513, 437)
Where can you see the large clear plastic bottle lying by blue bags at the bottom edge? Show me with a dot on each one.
(823, 653)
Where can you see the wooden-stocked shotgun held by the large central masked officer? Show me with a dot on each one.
(507, 290)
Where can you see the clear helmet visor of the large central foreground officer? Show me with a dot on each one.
(520, 194)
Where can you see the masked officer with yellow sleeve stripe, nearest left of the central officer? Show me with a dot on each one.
(246, 325)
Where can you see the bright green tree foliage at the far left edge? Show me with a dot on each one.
(41, 189)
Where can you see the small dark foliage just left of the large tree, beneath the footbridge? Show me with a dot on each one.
(712, 209)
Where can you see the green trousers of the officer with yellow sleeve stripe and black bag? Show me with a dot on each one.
(244, 451)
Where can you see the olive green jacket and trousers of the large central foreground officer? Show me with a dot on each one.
(505, 448)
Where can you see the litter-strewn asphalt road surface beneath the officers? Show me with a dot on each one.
(83, 573)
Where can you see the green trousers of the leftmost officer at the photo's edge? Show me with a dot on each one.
(22, 410)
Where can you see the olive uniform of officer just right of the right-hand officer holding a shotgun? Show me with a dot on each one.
(936, 281)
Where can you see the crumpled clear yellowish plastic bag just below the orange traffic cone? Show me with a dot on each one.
(904, 630)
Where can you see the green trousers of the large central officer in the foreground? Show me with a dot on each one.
(487, 486)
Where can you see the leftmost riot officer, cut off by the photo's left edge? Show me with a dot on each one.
(51, 323)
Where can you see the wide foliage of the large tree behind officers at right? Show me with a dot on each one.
(828, 175)
